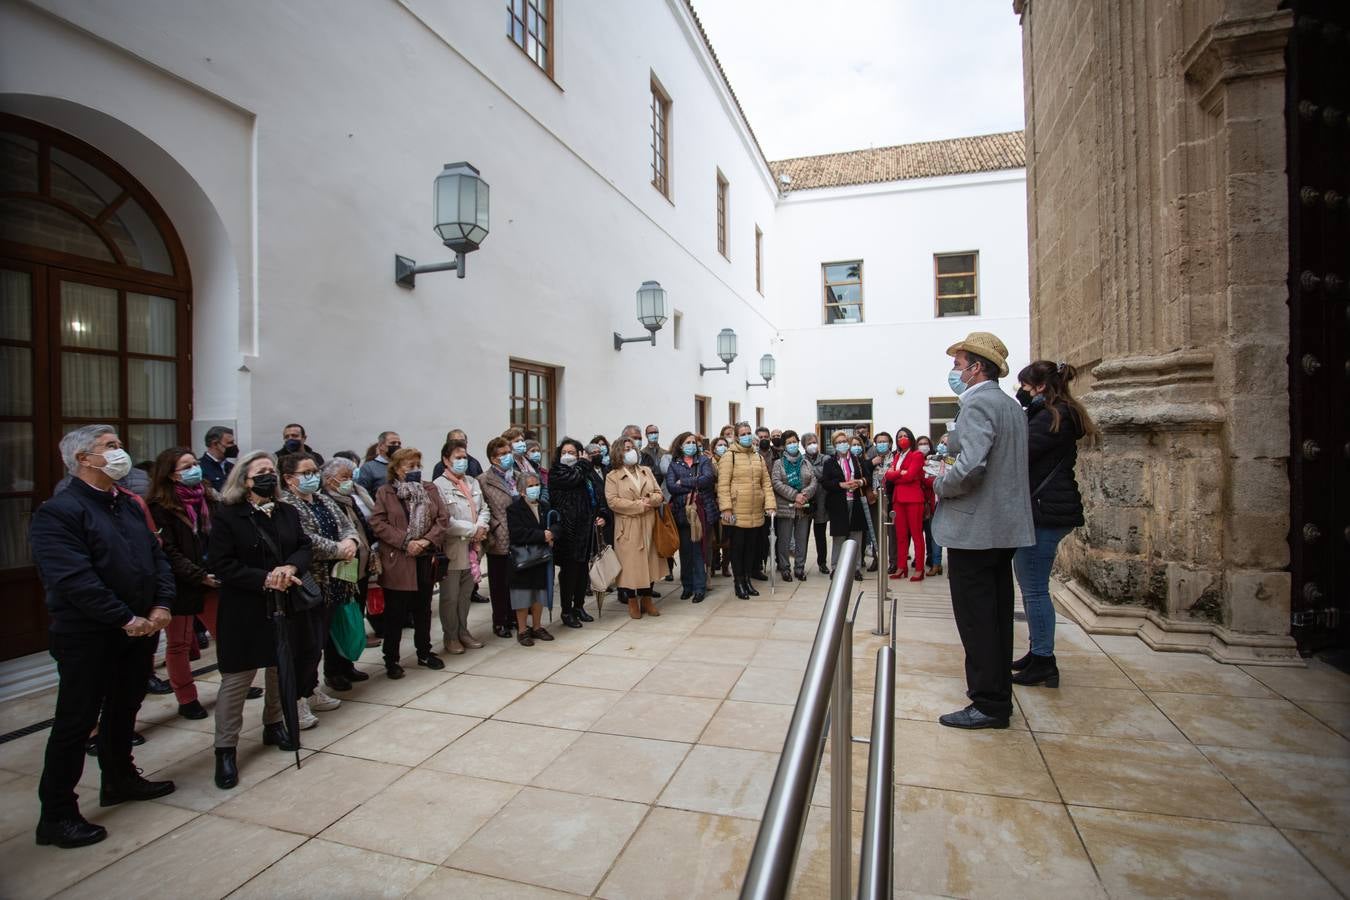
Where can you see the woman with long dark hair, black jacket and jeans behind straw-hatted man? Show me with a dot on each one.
(1055, 426)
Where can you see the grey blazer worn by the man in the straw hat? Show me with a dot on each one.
(985, 499)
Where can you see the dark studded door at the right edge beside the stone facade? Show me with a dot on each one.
(1320, 322)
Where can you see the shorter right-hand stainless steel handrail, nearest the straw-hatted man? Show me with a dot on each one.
(877, 876)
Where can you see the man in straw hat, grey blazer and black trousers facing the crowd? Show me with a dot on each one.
(983, 516)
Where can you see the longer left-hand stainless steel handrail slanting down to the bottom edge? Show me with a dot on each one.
(770, 874)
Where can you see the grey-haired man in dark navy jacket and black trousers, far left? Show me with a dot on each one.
(109, 590)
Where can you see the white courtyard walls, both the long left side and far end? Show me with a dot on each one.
(295, 146)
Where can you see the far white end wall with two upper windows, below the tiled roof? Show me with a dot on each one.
(897, 357)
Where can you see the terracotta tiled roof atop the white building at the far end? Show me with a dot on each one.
(952, 157)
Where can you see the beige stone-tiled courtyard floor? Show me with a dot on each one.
(632, 760)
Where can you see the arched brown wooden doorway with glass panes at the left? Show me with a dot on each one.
(95, 327)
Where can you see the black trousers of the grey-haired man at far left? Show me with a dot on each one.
(103, 682)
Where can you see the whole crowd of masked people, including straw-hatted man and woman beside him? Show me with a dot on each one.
(286, 550)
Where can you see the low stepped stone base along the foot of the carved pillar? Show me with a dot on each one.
(1225, 646)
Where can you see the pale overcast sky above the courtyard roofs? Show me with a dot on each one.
(820, 78)
